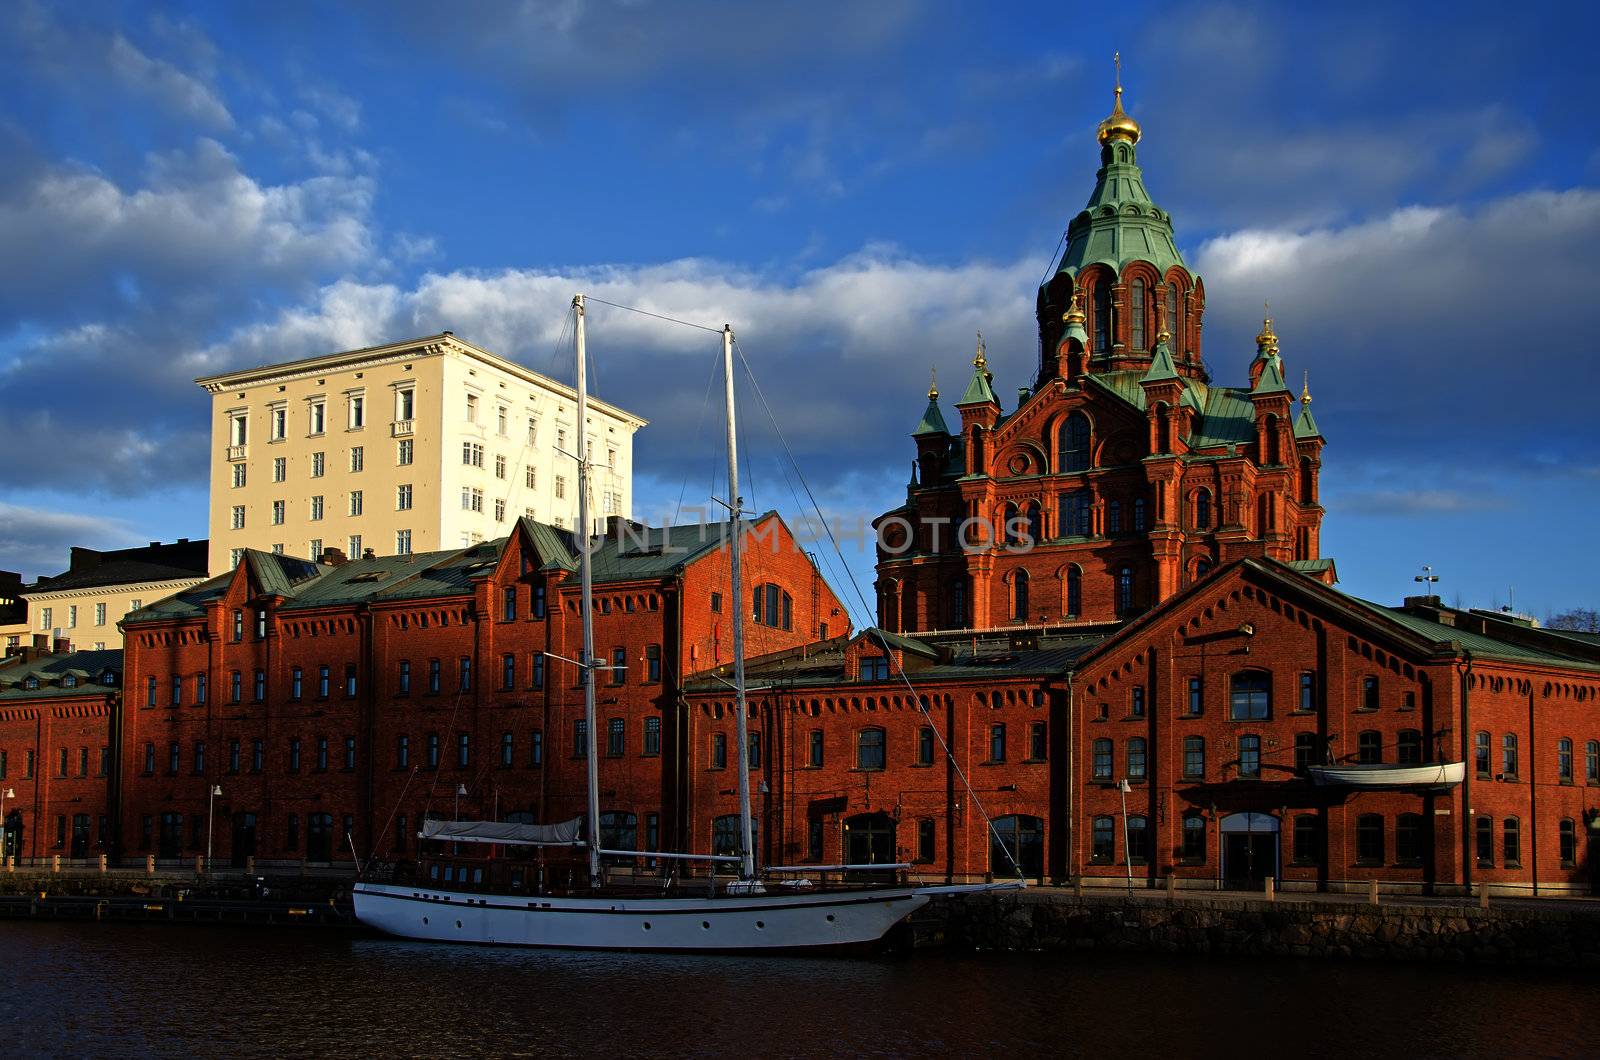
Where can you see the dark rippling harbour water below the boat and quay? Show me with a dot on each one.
(145, 990)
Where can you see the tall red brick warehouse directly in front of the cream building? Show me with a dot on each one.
(350, 701)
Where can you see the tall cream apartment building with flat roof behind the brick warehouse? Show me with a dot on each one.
(410, 448)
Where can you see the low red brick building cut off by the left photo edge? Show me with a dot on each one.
(57, 713)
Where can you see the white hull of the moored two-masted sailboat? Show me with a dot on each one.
(745, 923)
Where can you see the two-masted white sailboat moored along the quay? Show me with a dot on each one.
(740, 913)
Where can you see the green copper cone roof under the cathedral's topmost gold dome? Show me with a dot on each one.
(1121, 223)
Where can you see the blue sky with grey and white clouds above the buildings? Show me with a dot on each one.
(857, 190)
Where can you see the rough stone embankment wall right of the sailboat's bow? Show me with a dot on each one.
(1558, 934)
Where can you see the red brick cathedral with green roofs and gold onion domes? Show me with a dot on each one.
(1124, 473)
